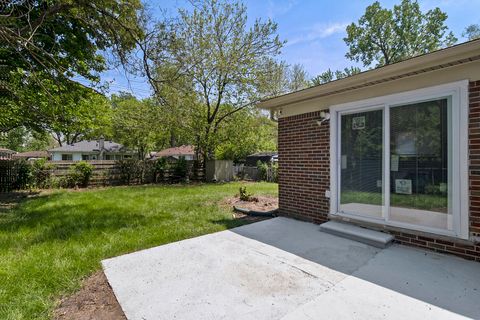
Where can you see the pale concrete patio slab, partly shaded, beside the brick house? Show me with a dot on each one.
(286, 269)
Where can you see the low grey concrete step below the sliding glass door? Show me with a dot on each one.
(352, 232)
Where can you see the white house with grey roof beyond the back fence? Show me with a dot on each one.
(91, 150)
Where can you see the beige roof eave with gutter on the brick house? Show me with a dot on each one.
(444, 58)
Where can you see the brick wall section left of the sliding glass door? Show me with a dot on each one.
(304, 167)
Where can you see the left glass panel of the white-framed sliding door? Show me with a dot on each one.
(361, 163)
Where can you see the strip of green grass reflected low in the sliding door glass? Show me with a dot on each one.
(419, 201)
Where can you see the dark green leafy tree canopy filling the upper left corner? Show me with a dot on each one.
(53, 41)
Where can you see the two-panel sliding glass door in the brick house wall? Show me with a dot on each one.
(409, 180)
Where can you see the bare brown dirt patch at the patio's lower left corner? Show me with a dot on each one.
(94, 301)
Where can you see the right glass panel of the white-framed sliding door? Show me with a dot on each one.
(420, 164)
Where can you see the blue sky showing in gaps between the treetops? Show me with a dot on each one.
(314, 30)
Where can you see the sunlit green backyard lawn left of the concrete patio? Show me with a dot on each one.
(48, 244)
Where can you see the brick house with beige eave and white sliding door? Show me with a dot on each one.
(396, 149)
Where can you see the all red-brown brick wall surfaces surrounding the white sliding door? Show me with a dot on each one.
(304, 172)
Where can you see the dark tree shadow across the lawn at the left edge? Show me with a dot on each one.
(43, 222)
